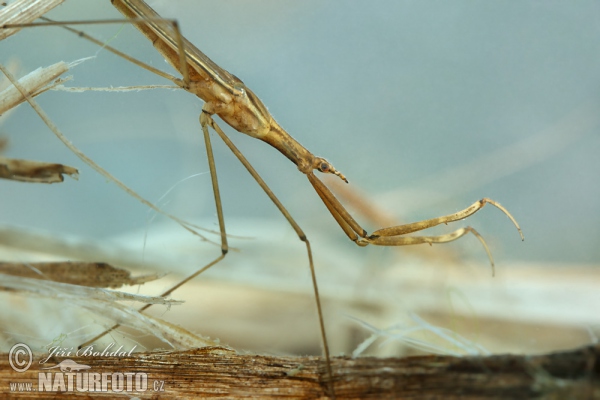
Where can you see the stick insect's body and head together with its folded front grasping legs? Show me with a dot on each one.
(229, 98)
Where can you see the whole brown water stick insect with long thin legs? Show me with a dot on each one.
(227, 97)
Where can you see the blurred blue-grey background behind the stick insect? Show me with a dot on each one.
(426, 106)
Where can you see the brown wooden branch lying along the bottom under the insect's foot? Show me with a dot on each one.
(218, 372)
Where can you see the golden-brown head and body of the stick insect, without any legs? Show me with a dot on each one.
(224, 93)
